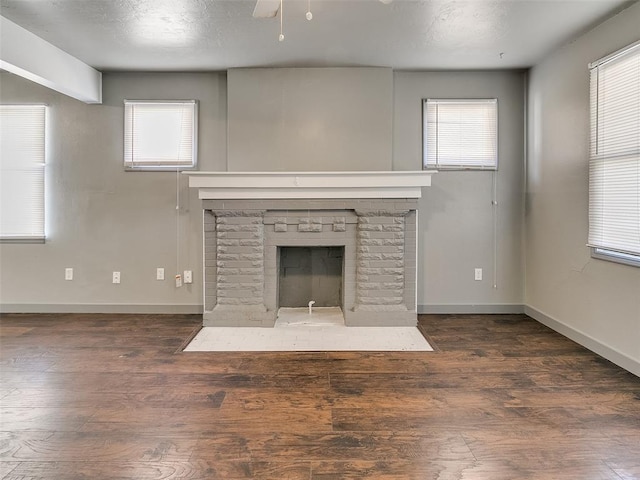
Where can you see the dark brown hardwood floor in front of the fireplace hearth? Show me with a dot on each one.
(503, 397)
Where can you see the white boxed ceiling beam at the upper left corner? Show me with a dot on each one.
(35, 59)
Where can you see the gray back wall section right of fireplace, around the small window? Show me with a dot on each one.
(456, 216)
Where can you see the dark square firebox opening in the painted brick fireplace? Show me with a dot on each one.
(310, 274)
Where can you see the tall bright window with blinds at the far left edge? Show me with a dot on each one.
(22, 160)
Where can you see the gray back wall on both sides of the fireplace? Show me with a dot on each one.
(101, 218)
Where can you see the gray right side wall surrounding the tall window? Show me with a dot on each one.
(593, 301)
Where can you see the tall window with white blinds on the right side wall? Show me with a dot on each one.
(614, 163)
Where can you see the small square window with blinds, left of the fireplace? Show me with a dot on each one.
(160, 135)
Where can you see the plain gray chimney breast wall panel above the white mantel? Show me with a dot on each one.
(309, 119)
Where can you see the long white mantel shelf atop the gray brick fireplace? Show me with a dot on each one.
(309, 185)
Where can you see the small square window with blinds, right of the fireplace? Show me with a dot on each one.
(460, 134)
